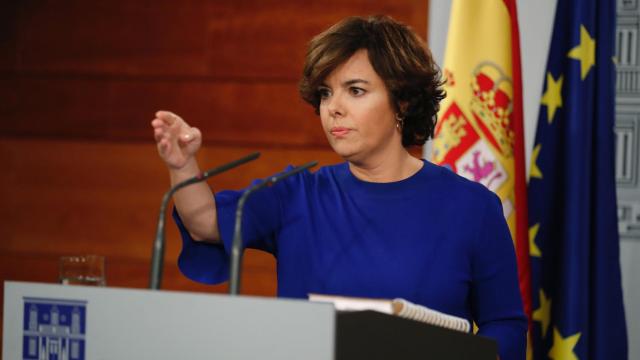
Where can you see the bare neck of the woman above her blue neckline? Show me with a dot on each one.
(388, 168)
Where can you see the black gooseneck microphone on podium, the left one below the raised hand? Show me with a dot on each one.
(157, 257)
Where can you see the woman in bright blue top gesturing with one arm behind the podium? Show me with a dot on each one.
(382, 224)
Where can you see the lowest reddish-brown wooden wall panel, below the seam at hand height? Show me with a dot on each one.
(63, 197)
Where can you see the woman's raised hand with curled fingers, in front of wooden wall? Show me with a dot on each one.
(177, 142)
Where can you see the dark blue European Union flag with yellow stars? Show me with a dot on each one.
(573, 236)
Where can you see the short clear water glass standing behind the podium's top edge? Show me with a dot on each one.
(88, 270)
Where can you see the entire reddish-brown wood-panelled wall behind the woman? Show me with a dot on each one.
(79, 83)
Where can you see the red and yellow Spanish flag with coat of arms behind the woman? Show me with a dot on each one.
(480, 132)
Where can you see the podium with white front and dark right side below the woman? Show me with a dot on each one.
(47, 321)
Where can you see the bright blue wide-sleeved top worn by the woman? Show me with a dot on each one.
(435, 239)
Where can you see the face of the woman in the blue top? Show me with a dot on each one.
(356, 111)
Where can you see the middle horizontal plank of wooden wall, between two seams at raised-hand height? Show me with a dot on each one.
(264, 114)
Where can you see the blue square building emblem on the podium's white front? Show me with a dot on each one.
(54, 329)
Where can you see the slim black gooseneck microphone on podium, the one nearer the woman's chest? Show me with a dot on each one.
(236, 246)
